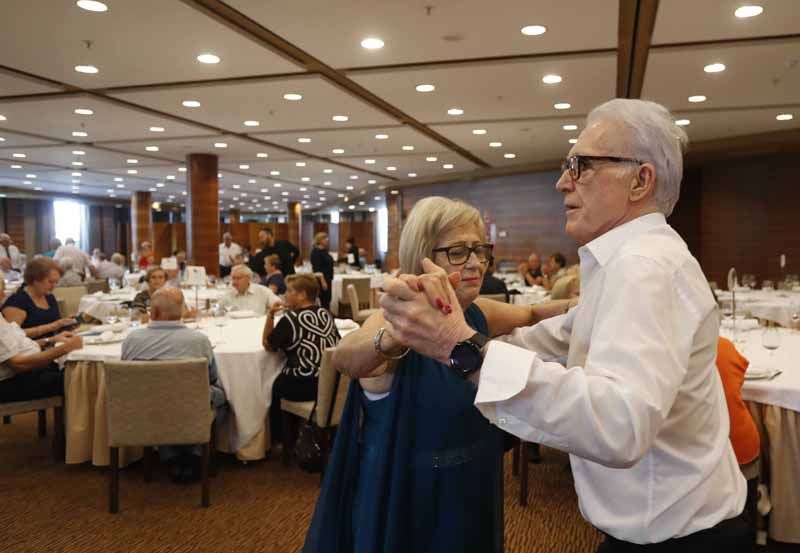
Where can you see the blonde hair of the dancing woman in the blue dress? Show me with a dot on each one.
(429, 219)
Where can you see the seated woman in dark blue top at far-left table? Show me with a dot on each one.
(33, 306)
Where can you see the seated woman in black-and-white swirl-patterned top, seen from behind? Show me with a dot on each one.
(303, 333)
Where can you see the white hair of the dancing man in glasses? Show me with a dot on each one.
(653, 137)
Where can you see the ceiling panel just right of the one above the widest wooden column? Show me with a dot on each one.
(361, 141)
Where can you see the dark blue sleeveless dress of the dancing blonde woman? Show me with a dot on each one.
(419, 471)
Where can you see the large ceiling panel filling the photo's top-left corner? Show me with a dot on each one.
(141, 42)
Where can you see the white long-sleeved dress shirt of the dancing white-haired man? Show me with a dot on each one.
(626, 382)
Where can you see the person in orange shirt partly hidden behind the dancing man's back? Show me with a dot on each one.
(744, 434)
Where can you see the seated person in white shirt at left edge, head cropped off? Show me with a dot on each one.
(27, 367)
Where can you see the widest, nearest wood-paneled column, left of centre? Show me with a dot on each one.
(202, 211)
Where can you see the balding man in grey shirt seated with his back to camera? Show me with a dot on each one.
(168, 338)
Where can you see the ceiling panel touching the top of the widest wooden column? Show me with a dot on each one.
(235, 149)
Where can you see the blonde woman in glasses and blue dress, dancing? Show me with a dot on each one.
(415, 466)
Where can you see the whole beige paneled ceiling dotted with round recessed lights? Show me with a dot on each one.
(146, 52)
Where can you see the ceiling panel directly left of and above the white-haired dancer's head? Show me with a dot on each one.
(497, 91)
